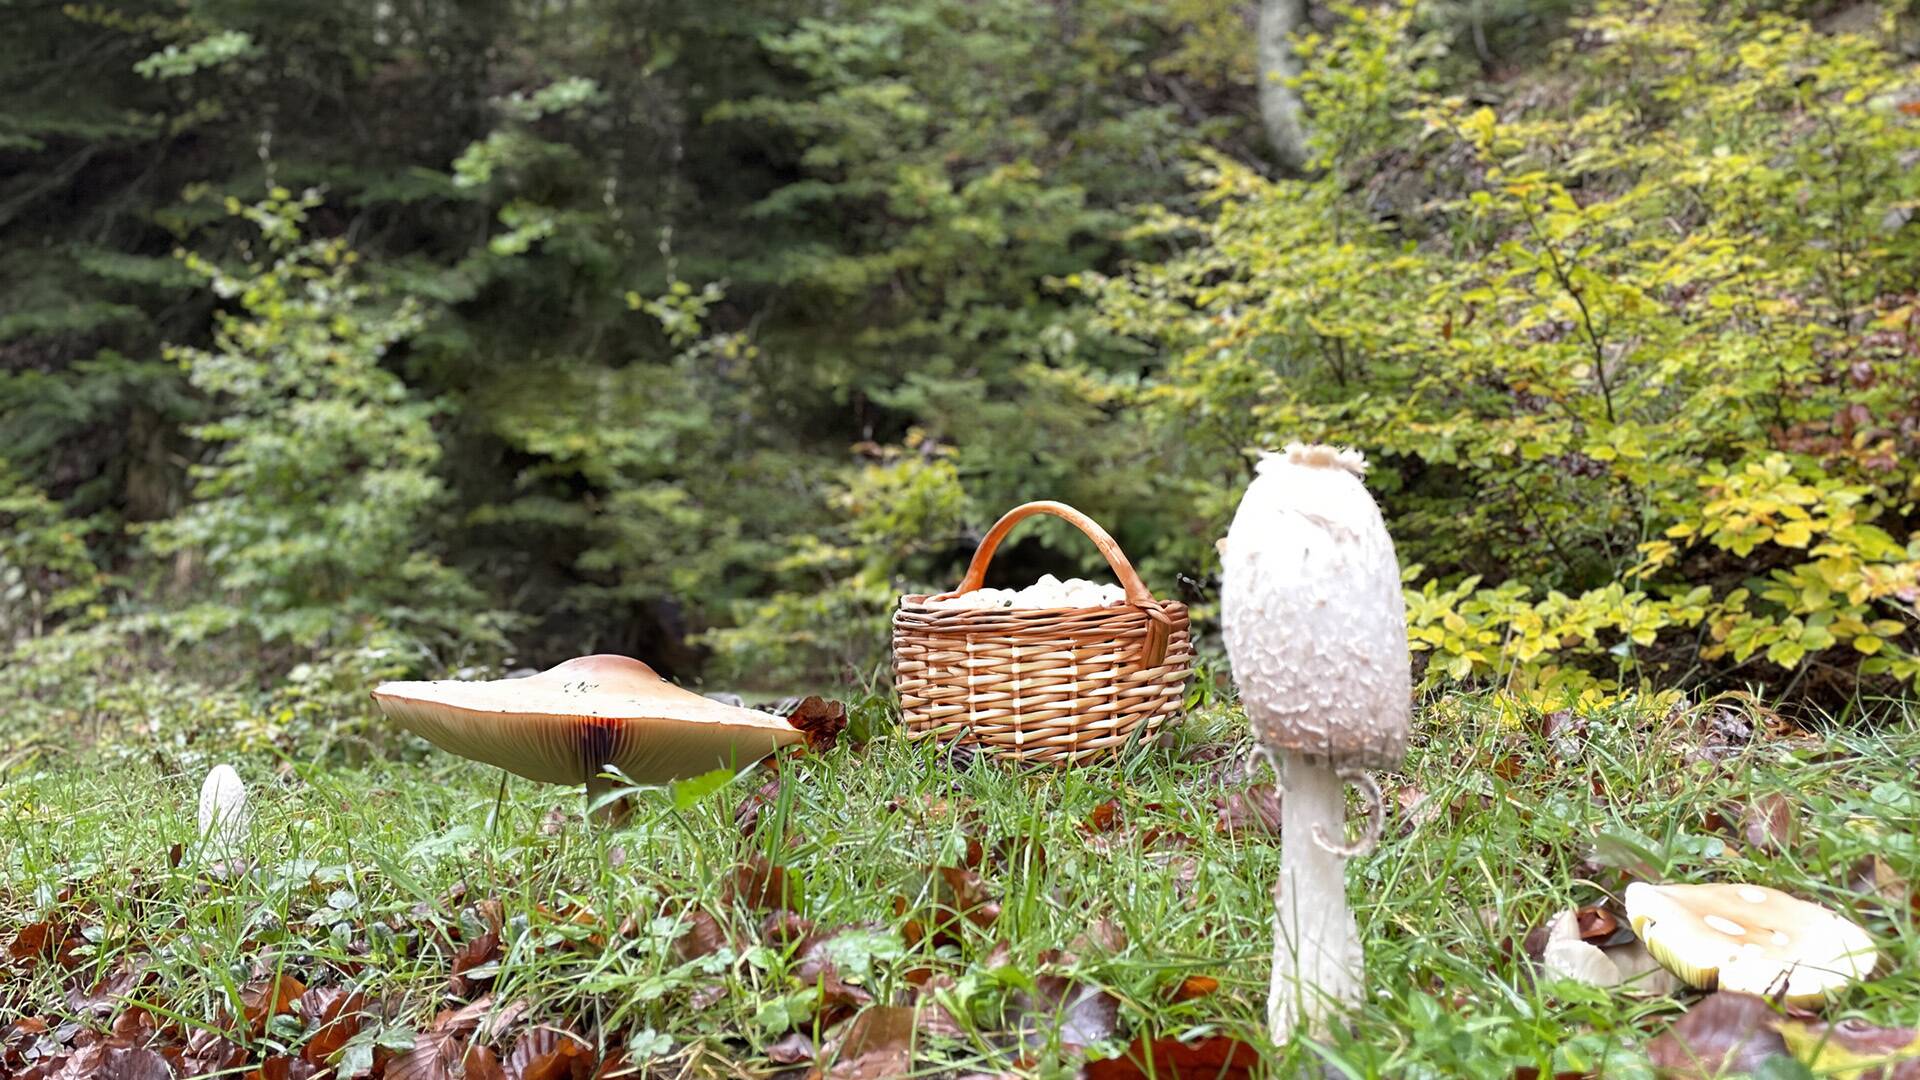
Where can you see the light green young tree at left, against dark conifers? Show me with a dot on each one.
(310, 514)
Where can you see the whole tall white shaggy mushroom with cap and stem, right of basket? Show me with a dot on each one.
(1318, 637)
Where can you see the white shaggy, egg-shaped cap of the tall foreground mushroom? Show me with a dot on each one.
(1312, 612)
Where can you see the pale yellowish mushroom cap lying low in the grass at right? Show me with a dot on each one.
(1750, 939)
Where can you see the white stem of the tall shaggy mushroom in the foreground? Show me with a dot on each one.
(1316, 945)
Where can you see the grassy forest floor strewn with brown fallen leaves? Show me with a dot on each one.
(884, 910)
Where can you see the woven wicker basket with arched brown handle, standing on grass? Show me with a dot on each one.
(1061, 685)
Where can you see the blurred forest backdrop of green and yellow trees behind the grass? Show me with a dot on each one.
(345, 341)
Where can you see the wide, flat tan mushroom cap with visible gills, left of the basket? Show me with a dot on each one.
(577, 720)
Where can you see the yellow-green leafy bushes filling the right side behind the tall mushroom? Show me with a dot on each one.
(1641, 385)
